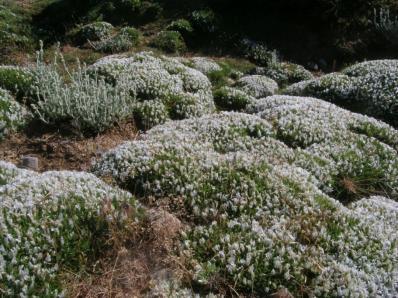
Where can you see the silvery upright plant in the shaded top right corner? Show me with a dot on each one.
(387, 25)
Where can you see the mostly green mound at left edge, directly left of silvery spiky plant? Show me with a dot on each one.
(17, 80)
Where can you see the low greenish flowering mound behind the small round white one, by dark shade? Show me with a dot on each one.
(285, 73)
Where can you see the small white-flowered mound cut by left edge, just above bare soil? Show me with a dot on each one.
(13, 115)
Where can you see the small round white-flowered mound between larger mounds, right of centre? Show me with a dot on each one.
(257, 86)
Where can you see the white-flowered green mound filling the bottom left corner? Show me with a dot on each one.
(53, 221)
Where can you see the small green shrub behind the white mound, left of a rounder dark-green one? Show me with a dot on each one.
(123, 41)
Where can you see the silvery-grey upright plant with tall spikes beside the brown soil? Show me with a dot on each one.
(84, 100)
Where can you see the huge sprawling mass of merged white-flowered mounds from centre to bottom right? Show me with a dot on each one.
(277, 199)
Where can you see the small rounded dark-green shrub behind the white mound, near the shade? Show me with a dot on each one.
(169, 41)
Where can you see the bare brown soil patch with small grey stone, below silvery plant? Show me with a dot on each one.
(57, 151)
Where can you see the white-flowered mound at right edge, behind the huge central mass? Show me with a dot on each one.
(370, 87)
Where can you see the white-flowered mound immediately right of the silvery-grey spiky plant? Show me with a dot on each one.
(161, 87)
